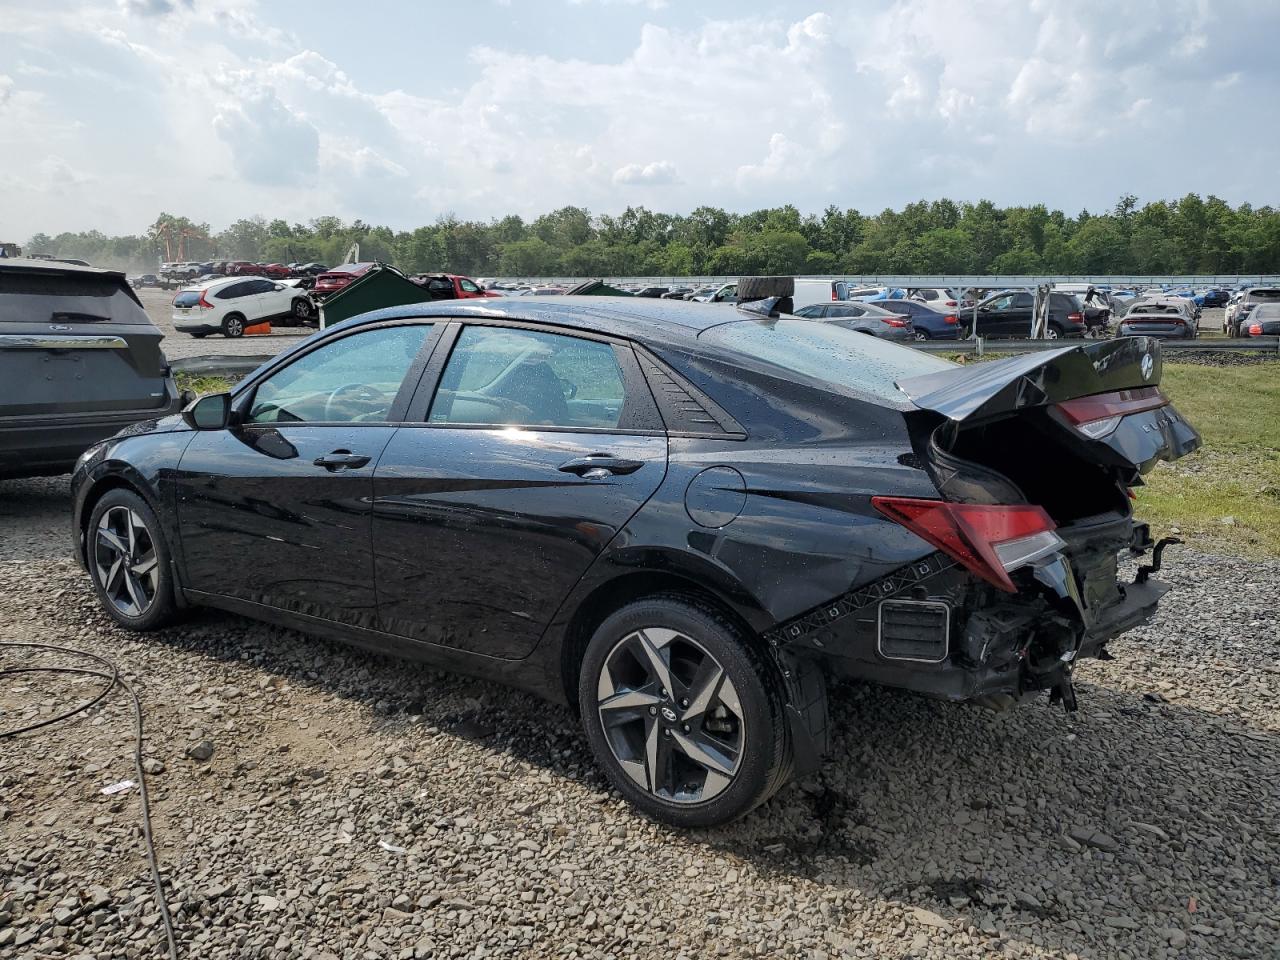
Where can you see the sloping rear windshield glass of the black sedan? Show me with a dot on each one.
(829, 354)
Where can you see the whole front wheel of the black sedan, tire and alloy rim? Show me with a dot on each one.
(139, 595)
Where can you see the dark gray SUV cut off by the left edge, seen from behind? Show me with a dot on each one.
(79, 362)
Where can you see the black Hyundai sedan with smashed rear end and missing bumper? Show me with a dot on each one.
(682, 519)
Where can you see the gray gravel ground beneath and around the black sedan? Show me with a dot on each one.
(316, 802)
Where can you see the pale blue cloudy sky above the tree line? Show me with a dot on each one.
(403, 112)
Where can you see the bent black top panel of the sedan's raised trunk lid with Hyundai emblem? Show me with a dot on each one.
(981, 391)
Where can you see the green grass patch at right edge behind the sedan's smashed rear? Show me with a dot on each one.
(1227, 496)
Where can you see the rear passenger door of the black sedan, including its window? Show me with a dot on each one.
(538, 449)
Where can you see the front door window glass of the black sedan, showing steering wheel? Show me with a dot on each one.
(350, 381)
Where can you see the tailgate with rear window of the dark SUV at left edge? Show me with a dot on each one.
(74, 344)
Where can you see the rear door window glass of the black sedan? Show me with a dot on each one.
(527, 378)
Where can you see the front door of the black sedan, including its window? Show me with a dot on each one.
(277, 510)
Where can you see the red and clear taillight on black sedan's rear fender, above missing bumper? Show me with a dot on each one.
(989, 541)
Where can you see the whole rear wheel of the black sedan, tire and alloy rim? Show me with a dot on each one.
(746, 740)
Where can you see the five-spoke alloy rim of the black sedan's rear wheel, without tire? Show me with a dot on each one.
(671, 716)
